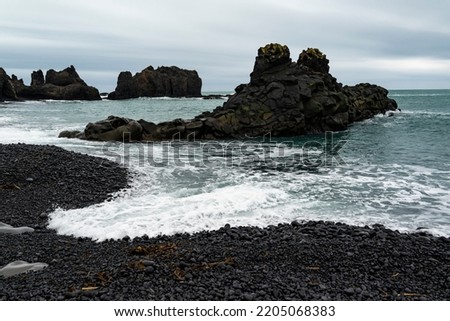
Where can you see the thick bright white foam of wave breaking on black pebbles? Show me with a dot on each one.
(168, 213)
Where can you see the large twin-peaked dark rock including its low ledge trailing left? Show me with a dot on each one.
(283, 97)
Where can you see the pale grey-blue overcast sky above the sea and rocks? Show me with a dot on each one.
(396, 44)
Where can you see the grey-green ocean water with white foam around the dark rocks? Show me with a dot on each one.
(392, 169)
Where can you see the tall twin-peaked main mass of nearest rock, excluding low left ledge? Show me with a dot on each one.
(289, 98)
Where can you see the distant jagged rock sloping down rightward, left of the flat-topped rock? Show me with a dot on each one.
(57, 85)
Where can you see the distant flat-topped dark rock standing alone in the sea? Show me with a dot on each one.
(162, 82)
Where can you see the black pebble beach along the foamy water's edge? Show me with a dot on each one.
(298, 261)
